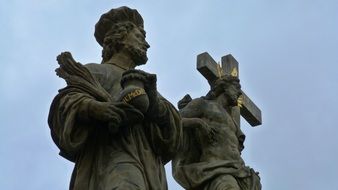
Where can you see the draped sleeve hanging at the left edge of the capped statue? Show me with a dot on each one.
(67, 129)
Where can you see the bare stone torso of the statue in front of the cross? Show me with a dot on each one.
(218, 137)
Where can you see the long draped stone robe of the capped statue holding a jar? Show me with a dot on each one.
(132, 158)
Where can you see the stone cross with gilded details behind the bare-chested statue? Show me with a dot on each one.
(208, 67)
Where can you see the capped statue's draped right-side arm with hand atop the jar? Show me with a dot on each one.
(163, 120)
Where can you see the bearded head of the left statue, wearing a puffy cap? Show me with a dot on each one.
(121, 29)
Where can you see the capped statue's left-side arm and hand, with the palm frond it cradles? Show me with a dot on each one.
(80, 107)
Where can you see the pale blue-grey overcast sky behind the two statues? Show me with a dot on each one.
(288, 56)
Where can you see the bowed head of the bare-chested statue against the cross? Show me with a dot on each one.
(227, 89)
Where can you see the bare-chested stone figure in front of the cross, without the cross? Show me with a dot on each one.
(210, 158)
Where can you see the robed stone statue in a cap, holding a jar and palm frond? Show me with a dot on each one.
(109, 119)
